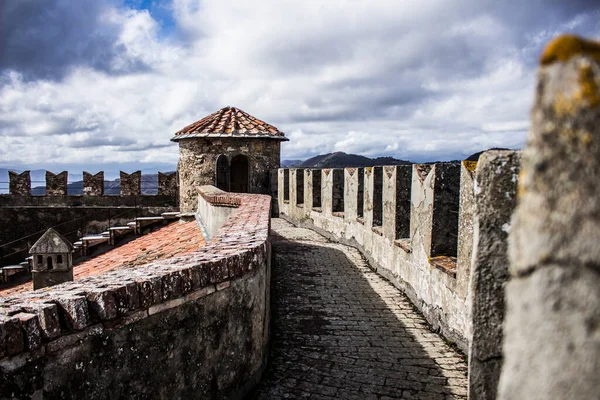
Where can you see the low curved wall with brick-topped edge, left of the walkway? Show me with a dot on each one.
(194, 326)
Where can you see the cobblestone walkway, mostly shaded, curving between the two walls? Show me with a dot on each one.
(341, 331)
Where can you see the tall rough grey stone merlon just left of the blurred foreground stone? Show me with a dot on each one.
(495, 200)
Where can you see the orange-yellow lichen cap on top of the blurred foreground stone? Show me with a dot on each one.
(565, 47)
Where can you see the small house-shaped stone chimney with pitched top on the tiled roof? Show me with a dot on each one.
(52, 260)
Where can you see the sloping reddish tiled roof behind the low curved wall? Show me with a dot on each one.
(172, 240)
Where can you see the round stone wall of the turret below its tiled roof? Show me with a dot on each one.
(198, 164)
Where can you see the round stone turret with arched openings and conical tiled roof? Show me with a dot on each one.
(229, 149)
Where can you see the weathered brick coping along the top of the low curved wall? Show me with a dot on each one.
(49, 319)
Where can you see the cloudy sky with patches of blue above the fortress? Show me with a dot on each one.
(103, 84)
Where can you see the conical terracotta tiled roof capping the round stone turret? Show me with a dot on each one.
(229, 122)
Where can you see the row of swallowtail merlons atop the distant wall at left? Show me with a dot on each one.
(20, 184)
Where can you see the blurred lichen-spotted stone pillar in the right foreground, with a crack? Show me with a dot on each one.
(552, 331)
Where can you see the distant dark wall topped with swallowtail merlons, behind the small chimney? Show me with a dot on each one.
(24, 217)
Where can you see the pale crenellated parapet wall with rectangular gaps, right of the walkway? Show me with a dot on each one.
(416, 228)
